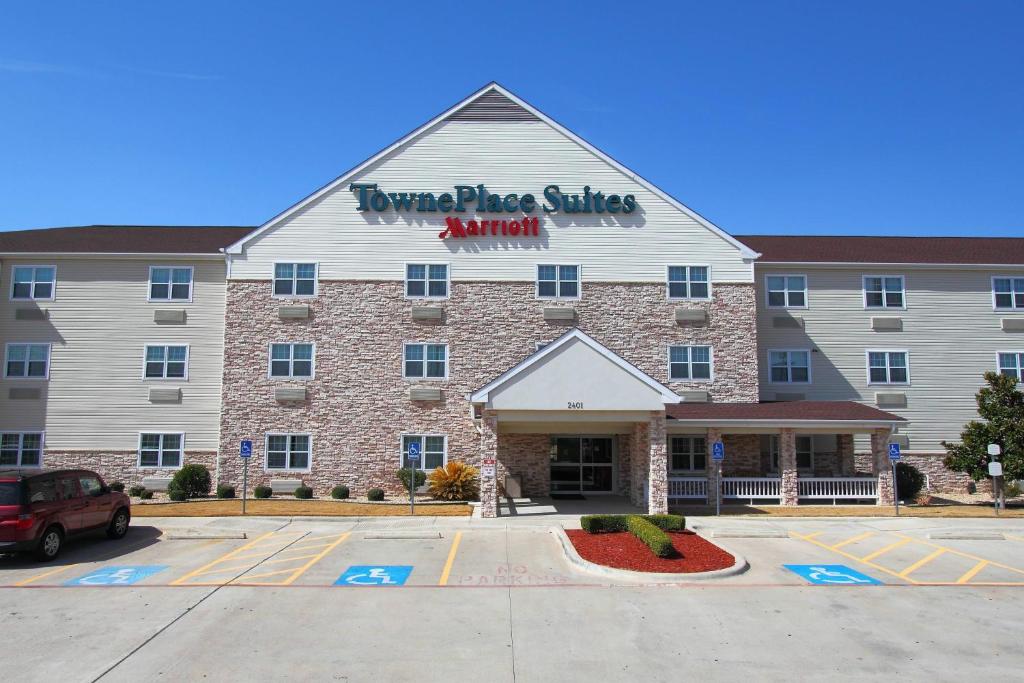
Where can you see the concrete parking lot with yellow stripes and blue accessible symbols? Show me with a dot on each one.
(425, 600)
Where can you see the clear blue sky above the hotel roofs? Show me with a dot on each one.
(882, 118)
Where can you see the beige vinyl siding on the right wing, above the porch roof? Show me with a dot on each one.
(950, 330)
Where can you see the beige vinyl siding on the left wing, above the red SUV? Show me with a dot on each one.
(99, 325)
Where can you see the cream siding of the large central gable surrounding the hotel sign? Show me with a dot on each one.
(522, 157)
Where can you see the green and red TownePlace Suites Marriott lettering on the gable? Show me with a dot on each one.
(477, 199)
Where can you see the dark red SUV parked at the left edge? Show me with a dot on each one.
(41, 508)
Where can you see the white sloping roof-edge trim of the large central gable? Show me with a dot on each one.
(476, 108)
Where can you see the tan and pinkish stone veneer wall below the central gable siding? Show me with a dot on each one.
(358, 404)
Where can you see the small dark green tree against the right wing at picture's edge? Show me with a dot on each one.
(1001, 405)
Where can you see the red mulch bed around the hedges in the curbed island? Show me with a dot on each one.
(624, 551)
